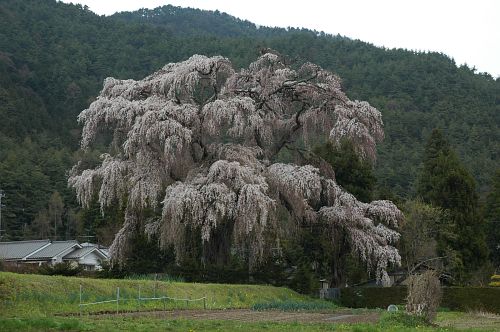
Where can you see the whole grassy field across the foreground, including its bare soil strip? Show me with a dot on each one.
(51, 303)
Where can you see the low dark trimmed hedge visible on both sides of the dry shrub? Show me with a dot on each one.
(454, 298)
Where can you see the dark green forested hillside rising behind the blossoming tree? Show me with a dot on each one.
(54, 58)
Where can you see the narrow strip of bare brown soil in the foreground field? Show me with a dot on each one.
(245, 315)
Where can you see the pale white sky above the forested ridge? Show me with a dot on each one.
(468, 31)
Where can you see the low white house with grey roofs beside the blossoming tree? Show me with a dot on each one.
(41, 252)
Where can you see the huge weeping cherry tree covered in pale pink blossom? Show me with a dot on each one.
(204, 143)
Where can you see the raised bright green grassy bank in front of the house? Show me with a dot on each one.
(21, 294)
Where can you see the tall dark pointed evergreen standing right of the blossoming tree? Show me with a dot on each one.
(445, 183)
